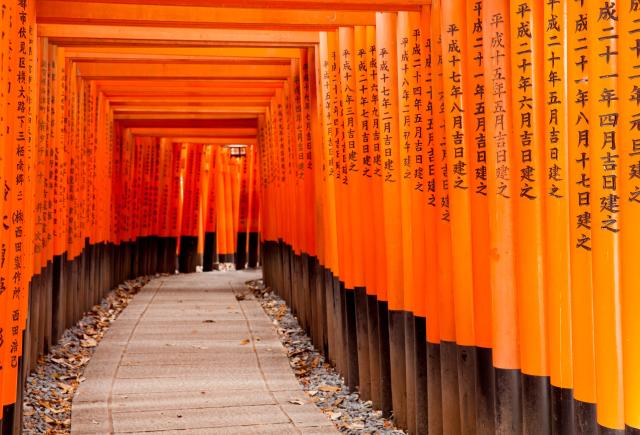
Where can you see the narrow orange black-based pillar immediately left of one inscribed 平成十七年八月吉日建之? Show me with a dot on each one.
(448, 364)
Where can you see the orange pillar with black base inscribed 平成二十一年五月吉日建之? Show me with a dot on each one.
(480, 237)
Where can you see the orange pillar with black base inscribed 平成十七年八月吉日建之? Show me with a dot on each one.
(457, 87)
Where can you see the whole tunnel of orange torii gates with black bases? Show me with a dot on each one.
(446, 193)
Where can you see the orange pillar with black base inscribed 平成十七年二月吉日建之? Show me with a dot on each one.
(390, 144)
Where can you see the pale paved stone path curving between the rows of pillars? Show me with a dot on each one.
(187, 357)
